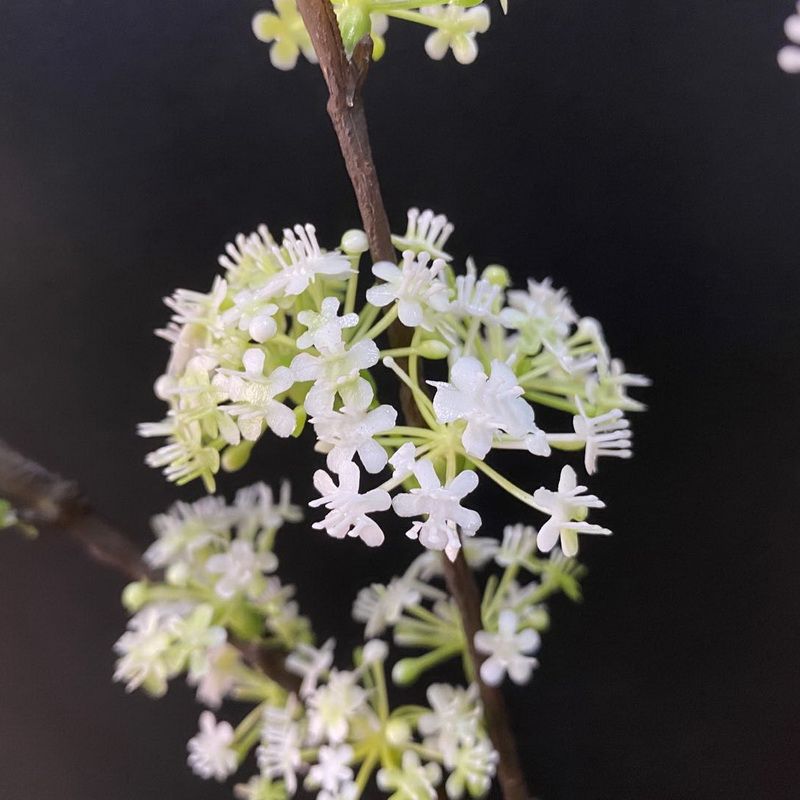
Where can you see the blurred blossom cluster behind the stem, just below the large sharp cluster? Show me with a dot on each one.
(513, 610)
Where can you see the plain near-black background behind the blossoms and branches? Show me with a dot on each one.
(644, 154)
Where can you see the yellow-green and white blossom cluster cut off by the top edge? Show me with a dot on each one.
(453, 26)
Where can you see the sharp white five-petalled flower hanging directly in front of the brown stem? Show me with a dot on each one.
(442, 505)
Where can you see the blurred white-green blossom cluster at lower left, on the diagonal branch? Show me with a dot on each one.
(217, 561)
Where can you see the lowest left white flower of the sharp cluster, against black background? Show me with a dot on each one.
(347, 508)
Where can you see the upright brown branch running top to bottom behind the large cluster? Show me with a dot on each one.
(346, 109)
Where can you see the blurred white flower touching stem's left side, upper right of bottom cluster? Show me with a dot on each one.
(453, 719)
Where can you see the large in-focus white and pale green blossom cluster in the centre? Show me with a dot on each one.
(279, 340)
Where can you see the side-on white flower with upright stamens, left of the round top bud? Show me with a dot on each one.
(301, 260)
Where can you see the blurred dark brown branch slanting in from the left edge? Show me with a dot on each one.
(47, 500)
